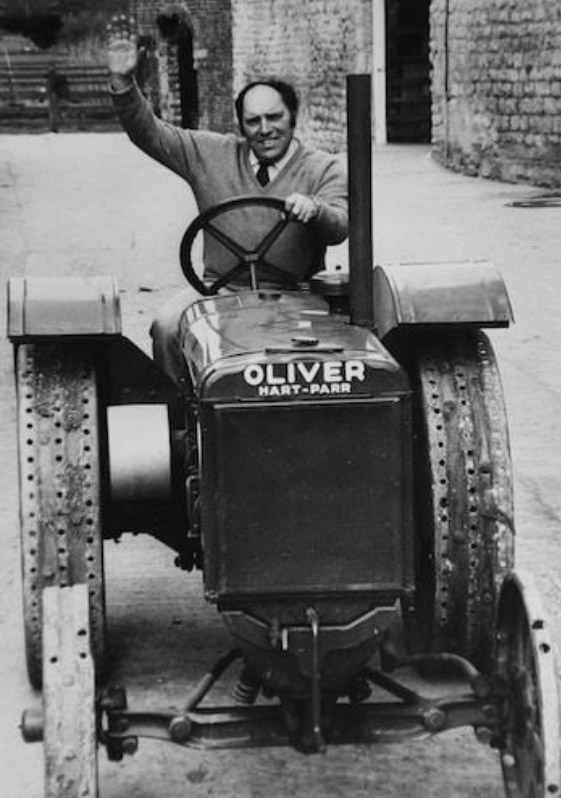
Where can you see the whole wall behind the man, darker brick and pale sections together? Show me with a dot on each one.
(313, 44)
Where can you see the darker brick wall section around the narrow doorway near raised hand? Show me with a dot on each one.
(211, 24)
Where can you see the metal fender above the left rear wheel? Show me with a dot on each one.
(52, 307)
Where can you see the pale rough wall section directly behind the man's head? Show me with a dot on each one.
(311, 43)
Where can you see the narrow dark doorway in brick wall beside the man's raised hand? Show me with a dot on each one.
(179, 34)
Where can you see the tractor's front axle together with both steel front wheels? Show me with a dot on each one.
(513, 708)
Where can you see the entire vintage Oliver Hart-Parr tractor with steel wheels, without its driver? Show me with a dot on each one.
(336, 464)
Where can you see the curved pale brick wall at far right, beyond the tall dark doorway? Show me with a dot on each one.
(497, 87)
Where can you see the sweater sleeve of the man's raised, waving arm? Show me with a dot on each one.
(173, 147)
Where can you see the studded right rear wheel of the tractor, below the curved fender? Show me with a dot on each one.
(463, 495)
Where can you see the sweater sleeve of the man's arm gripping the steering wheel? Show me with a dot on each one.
(332, 221)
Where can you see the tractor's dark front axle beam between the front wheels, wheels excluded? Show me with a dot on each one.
(413, 716)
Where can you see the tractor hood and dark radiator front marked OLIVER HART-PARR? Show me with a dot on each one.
(305, 437)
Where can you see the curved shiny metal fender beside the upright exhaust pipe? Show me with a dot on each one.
(464, 293)
